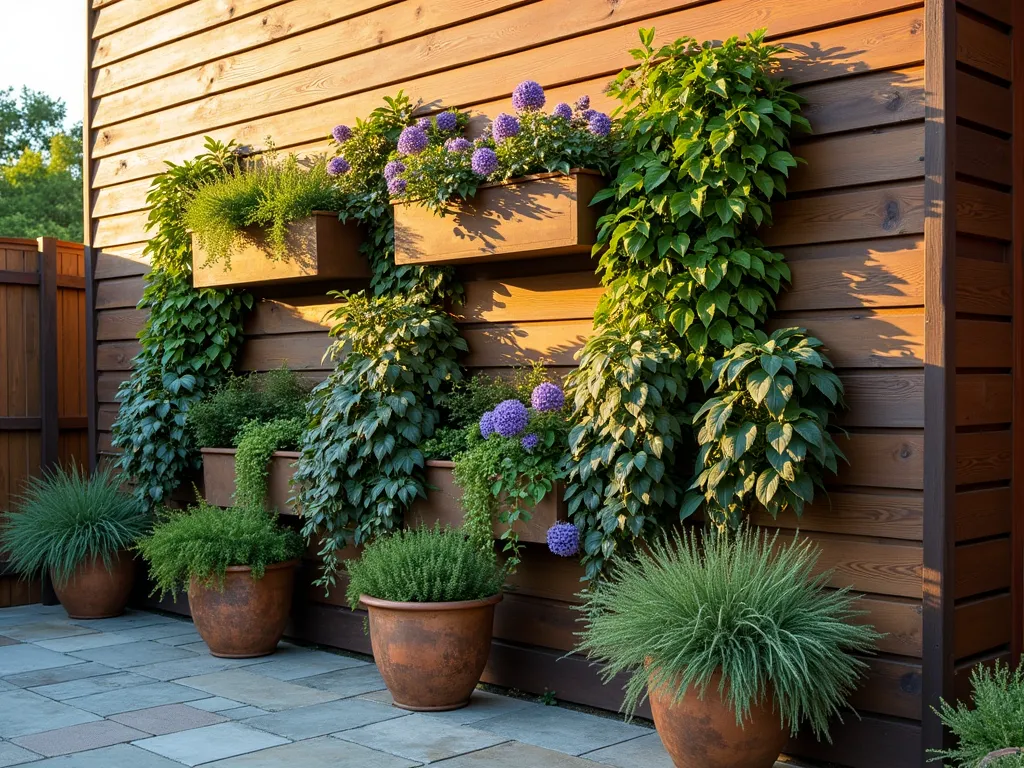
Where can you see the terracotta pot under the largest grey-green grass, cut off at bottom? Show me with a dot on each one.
(704, 734)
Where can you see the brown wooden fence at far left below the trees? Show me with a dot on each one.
(44, 399)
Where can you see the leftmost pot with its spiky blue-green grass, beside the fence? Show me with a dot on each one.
(79, 530)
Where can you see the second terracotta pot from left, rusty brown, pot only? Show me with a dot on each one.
(248, 618)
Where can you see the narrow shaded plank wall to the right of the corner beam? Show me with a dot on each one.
(985, 352)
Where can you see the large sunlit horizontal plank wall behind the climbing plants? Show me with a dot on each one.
(166, 74)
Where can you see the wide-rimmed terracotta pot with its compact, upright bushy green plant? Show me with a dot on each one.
(432, 595)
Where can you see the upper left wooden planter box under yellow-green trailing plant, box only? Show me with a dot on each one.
(320, 247)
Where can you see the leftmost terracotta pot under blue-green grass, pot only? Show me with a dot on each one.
(95, 592)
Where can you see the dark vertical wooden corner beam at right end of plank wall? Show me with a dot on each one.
(941, 315)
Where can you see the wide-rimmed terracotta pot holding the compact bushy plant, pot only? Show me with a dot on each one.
(432, 656)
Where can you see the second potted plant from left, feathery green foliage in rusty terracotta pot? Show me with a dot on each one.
(239, 569)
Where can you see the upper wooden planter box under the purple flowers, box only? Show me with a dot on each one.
(542, 216)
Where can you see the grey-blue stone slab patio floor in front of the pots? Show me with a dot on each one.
(142, 692)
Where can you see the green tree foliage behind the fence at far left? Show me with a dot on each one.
(40, 168)
